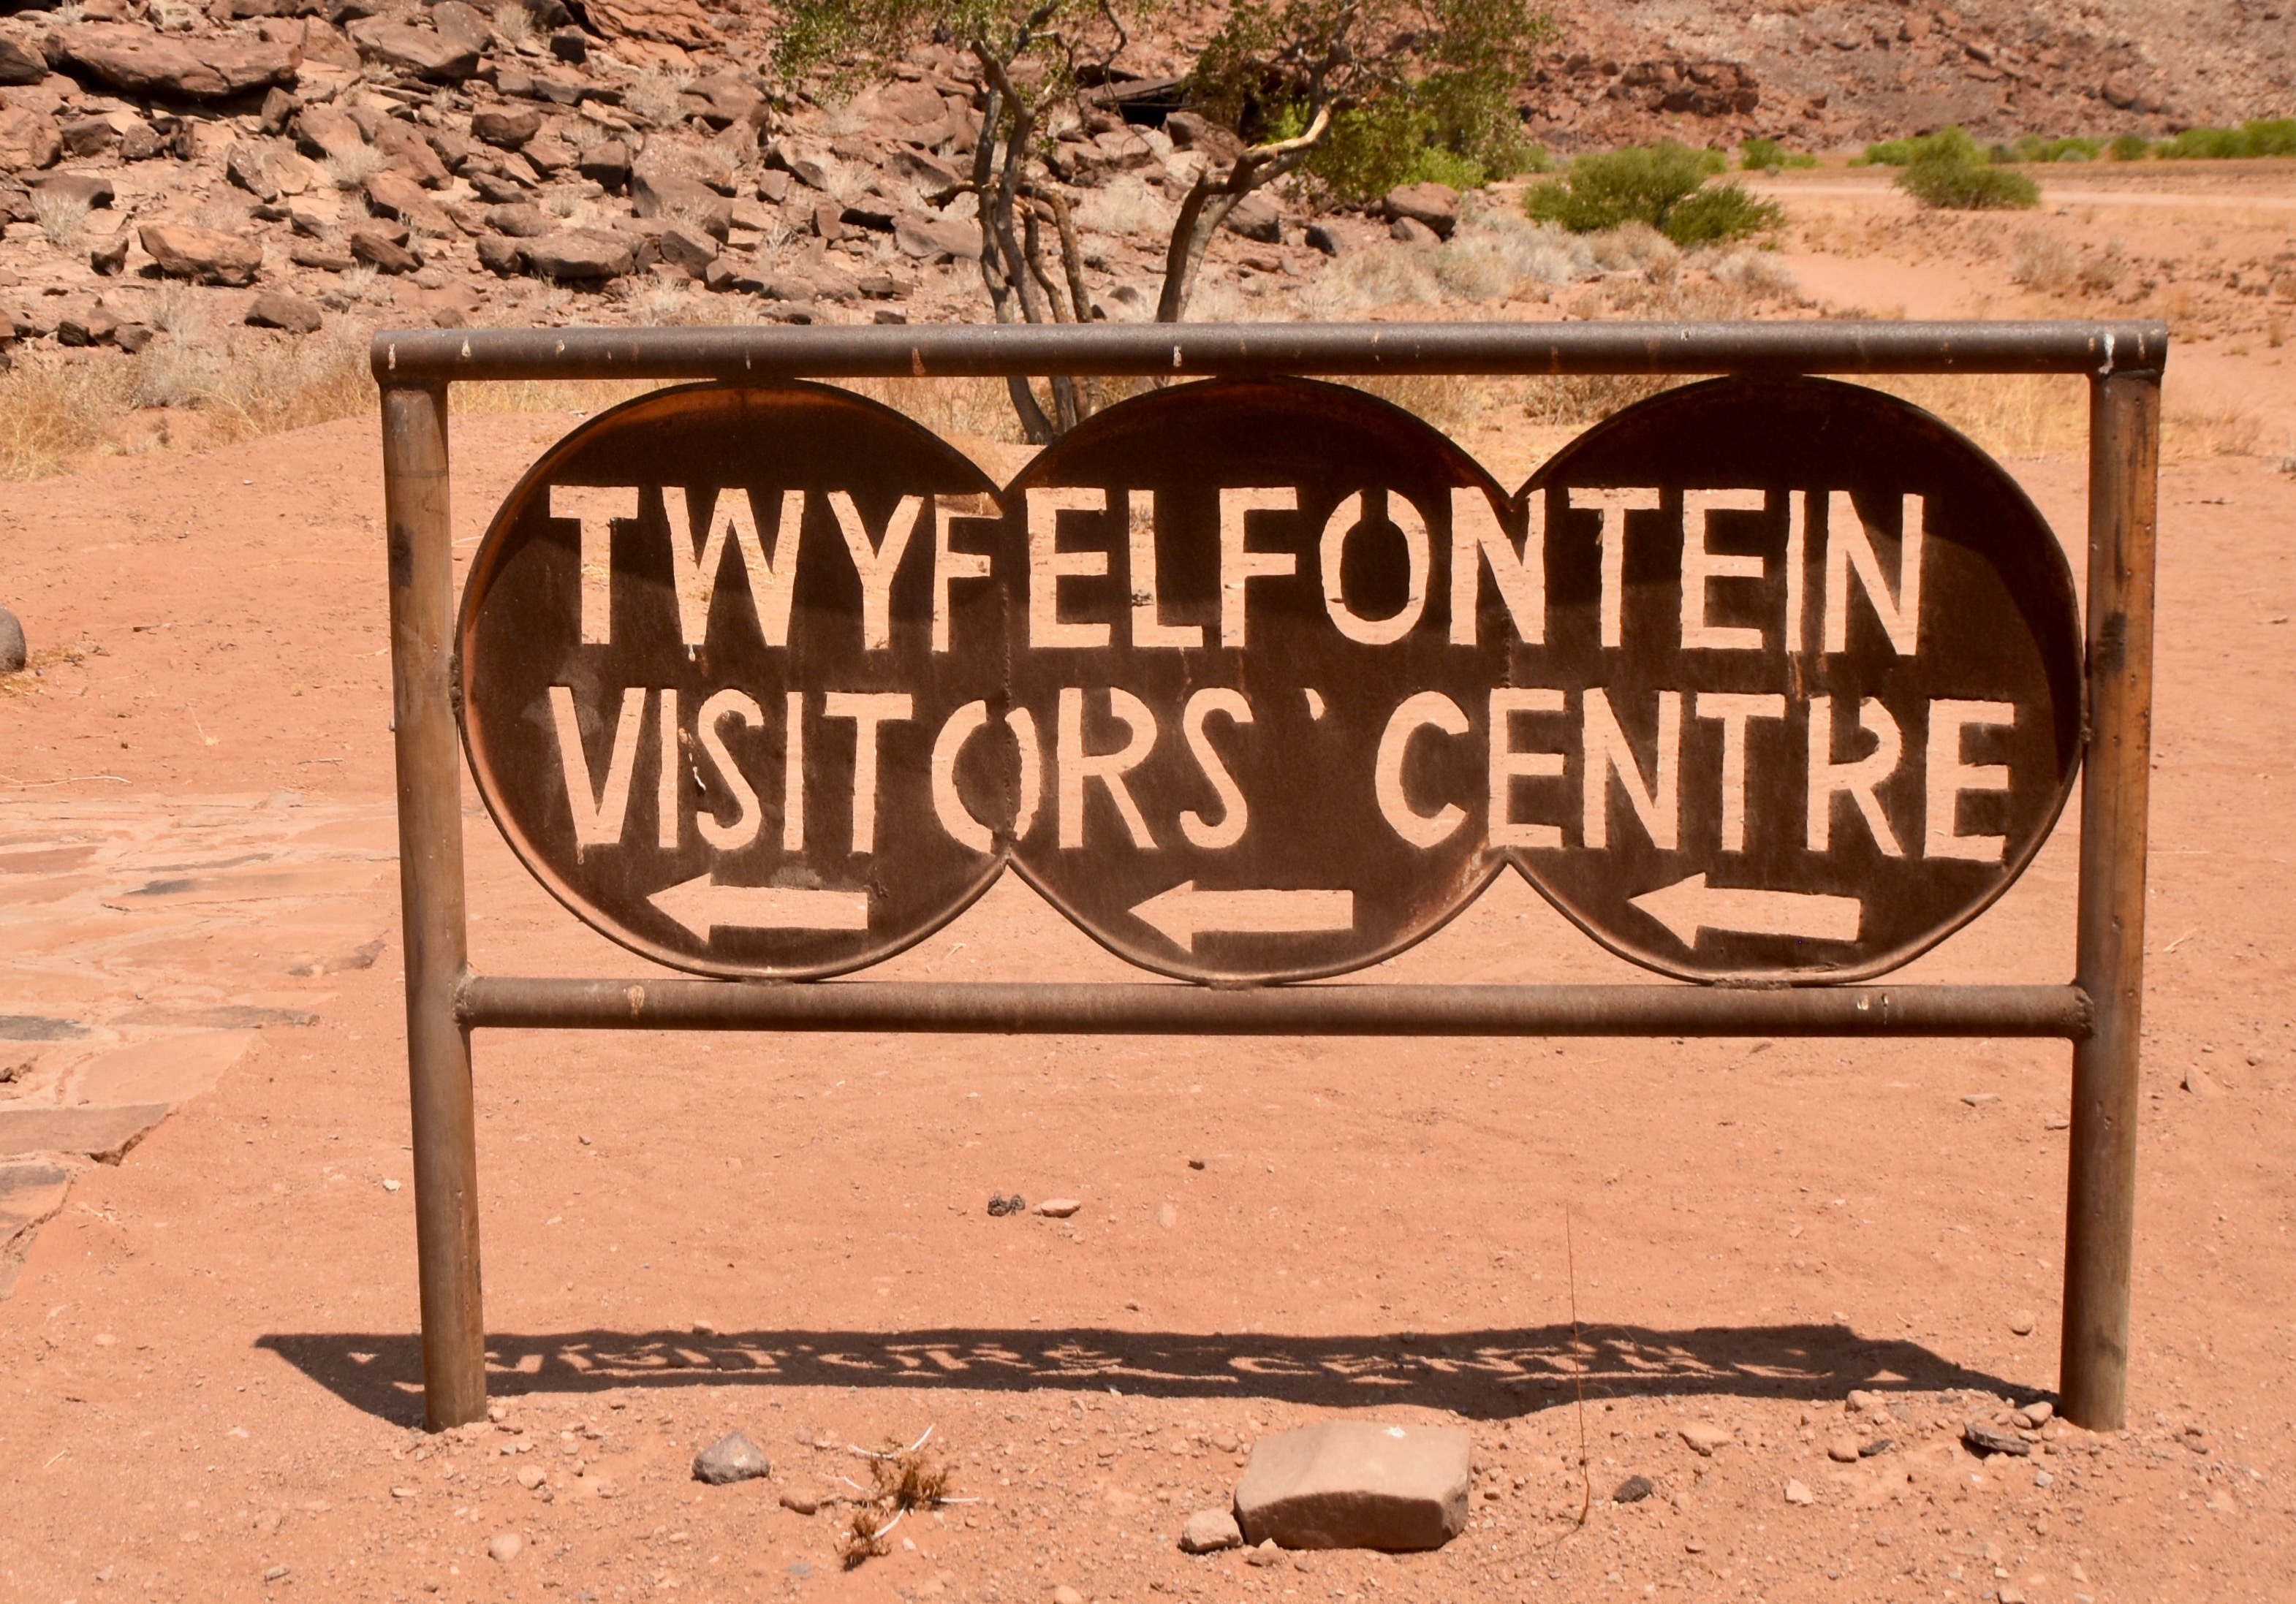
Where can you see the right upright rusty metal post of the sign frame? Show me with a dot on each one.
(2102, 1185)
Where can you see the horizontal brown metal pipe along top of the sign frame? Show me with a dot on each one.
(1264, 350)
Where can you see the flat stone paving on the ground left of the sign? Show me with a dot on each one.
(143, 944)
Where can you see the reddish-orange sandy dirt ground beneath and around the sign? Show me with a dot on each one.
(210, 1350)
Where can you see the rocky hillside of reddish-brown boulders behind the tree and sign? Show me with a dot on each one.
(341, 164)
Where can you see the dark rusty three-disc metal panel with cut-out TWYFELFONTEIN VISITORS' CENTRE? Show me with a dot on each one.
(1266, 680)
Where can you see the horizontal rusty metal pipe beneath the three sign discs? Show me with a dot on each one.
(509, 1002)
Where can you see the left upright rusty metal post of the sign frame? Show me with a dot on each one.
(433, 903)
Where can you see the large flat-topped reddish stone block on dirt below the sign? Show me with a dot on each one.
(1356, 1486)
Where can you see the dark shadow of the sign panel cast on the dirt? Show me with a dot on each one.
(1473, 1373)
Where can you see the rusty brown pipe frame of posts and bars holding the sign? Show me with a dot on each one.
(2097, 1013)
